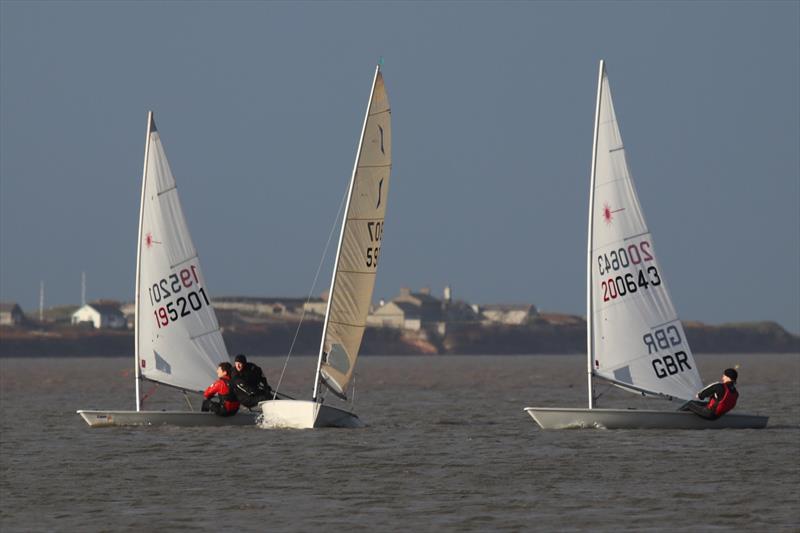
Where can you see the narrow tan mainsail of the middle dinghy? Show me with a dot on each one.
(359, 245)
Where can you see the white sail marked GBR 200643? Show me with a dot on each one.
(636, 338)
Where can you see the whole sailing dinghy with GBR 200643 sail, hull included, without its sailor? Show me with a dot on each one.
(634, 337)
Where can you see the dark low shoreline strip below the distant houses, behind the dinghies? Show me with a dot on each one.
(275, 338)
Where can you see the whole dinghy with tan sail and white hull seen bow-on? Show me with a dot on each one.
(353, 278)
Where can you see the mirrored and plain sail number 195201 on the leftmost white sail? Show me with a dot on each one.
(186, 301)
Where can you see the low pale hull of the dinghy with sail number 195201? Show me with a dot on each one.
(164, 418)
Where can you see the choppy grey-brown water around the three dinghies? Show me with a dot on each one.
(448, 447)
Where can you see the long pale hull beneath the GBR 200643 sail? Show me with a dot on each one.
(566, 418)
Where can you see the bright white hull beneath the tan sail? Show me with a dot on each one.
(303, 414)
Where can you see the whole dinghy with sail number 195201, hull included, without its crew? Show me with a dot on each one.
(177, 338)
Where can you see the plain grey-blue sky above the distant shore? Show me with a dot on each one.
(260, 105)
